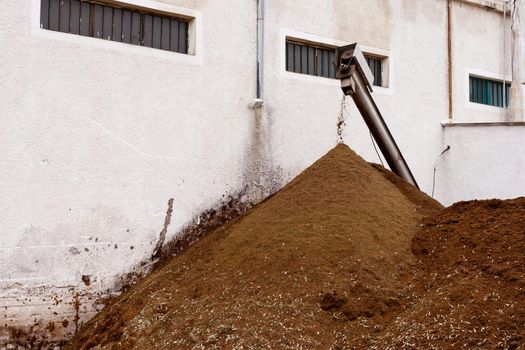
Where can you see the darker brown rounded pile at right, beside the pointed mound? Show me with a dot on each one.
(470, 283)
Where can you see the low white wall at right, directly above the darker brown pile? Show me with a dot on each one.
(485, 161)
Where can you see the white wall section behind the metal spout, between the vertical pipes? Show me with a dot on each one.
(304, 109)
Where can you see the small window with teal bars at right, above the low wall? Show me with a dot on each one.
(488, 92)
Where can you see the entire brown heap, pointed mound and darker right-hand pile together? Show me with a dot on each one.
(345, 256)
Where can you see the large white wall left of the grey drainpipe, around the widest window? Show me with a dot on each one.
(97, 136)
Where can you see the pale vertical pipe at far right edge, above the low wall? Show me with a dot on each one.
(516, 89)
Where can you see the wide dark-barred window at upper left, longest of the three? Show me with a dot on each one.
(115, 23)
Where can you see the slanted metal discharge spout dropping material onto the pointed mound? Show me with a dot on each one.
(356, 81)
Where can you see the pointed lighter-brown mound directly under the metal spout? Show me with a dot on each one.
(315, 265)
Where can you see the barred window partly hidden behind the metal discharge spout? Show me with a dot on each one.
(319, 61)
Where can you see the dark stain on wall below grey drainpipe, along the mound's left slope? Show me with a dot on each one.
(261, 178)
